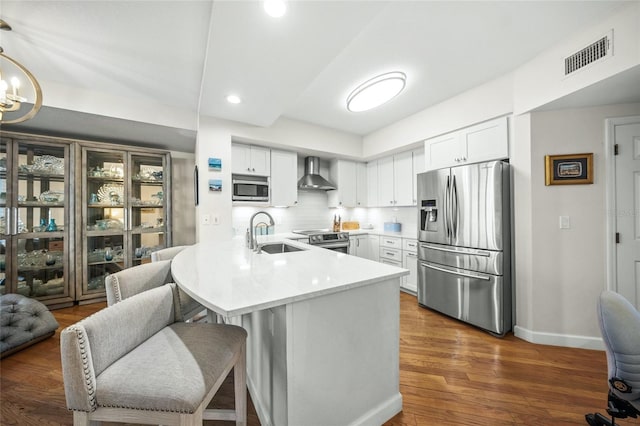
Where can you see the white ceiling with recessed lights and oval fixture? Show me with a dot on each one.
(191, 54)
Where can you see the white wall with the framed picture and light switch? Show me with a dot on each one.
(566, 272)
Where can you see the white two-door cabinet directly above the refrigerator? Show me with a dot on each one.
(483, 142)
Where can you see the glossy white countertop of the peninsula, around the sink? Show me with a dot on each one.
(232, 280)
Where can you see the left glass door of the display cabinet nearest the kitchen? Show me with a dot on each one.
(104, 219)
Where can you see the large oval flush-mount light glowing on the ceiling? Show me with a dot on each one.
(376, 91)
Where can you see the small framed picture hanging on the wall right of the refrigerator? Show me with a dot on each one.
(571, 169)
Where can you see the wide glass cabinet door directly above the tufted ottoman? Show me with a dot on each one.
(39, 196)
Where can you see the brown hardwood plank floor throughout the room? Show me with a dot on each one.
(450, 374)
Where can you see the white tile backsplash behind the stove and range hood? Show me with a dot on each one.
(312, 213)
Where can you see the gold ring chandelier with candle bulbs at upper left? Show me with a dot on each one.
(11, 96)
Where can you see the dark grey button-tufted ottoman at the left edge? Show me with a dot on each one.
(23, 322)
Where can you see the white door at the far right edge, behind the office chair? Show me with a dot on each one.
(627, 166)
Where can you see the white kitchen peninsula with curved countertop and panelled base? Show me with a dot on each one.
(323, 346)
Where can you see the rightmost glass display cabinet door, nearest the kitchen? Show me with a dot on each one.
(147, 206)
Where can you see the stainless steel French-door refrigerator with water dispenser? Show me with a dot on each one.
(464, 267)
